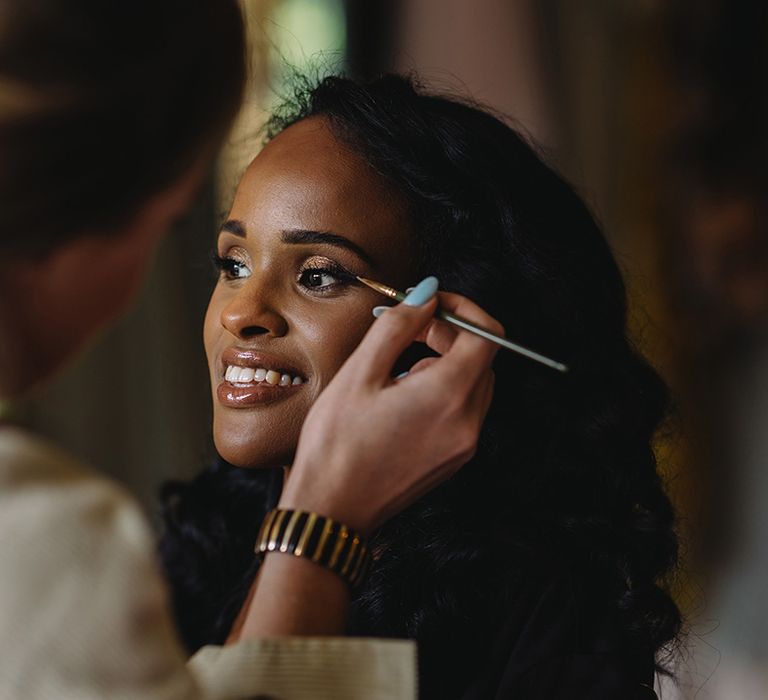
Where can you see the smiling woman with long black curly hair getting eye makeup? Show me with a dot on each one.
(535, 571)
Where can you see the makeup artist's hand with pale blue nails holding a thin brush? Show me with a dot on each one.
(372, 445)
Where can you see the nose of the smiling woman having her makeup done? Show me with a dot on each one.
(253, 311)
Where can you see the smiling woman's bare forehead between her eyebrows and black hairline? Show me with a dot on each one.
(305, 178)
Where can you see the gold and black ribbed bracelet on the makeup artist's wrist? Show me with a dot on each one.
(322, 540)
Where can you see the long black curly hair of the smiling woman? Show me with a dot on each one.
(565, 478)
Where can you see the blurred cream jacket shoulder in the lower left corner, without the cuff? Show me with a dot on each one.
(83, 609)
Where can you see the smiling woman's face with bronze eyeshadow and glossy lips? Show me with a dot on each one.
(283, 317)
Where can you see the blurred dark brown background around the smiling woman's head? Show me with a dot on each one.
(656, 111)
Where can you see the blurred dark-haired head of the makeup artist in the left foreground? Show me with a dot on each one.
(109, 116)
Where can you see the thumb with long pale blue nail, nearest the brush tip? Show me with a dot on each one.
(393, 332)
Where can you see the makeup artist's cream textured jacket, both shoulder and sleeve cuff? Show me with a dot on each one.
(84, 614)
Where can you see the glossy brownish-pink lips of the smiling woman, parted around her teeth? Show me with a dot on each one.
(245, 396)
